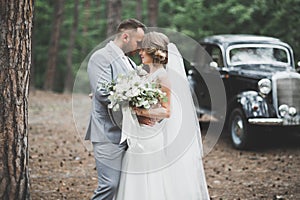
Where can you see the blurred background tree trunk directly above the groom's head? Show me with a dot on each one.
(113, 16)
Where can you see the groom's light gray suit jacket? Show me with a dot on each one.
(104, 65)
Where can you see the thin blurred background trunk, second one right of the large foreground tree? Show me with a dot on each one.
(69, 76)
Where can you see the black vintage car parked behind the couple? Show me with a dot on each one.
(261, 84)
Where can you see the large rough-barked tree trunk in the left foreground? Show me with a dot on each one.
(15, 61)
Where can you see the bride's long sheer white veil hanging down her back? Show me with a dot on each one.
(183, 145)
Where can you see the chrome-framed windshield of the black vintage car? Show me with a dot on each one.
(257, 54)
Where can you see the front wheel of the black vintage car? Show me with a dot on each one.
(239, 130)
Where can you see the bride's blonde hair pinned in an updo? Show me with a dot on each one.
(155, 44)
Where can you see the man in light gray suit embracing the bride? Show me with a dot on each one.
(104, 65)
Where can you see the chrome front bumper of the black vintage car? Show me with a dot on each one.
(274, 121)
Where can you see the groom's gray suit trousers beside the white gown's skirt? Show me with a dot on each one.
(108, 158)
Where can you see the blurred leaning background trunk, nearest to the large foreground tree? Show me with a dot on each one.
(54, 44)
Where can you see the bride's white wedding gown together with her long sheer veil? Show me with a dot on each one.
(164, 161)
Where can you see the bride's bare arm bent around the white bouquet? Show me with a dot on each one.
(160, 112)
